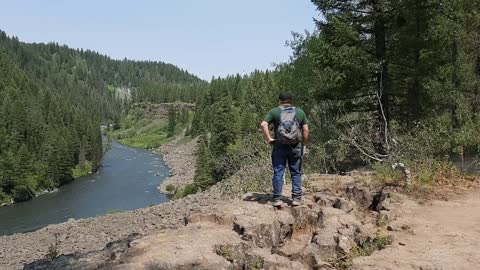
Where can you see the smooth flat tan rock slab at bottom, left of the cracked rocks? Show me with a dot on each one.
(192, 247)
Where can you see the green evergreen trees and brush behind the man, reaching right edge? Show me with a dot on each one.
(385, 84)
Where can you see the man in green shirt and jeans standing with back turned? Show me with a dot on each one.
(289, 142)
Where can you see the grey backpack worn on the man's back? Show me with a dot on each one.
(288, 129)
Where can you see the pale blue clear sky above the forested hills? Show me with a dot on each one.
(207, 38)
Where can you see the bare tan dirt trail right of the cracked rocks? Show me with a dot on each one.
(442, 235)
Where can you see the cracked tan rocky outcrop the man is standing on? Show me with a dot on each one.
(243, 234)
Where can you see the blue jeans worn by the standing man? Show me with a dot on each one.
(281, 155)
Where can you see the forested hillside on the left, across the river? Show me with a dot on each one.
(53, 100)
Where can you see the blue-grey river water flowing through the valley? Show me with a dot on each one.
(127, 179)
